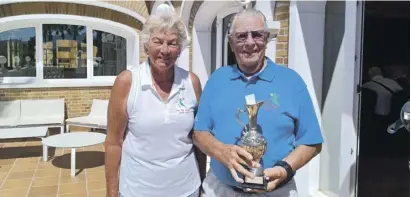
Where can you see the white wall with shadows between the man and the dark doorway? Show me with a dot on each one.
(322, 49)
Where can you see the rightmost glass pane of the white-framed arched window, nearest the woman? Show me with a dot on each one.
(109, 54)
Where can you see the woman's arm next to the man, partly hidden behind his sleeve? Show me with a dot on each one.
(200, 156)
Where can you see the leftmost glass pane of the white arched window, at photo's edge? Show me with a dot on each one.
(17, 52)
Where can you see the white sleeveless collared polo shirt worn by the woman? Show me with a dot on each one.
(158, 157)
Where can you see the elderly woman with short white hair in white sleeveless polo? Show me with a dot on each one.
(149, 150)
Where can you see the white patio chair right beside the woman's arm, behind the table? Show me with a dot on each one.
(96, 119)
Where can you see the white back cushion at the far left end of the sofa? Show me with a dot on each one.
(9, 113)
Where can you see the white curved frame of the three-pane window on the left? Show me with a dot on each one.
(38, 20)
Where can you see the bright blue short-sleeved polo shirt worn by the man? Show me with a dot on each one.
(287, 117)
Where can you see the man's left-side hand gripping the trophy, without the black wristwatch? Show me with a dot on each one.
(232, 157)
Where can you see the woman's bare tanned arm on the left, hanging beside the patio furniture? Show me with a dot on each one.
(117, 119)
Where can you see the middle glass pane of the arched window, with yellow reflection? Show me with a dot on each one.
(64, 51)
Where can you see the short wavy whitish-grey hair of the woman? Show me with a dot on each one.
(158, 22)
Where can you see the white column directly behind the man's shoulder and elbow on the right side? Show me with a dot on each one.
(306, 39)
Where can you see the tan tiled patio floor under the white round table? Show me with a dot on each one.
(23, 173)
